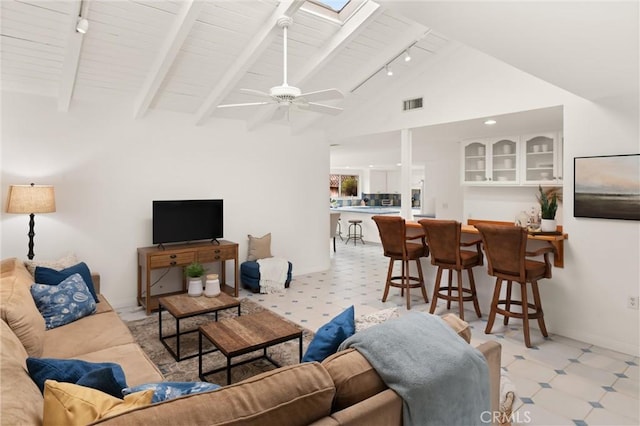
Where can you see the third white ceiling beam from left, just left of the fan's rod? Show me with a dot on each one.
(260, 41)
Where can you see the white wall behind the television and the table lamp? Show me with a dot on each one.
(108, 167)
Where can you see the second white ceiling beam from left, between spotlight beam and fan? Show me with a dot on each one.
(177, 34)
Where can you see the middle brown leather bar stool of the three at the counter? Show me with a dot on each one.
(443, 238)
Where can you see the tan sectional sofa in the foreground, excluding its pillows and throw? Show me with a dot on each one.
(342, 390)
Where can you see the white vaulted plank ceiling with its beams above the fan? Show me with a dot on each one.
(191, 56)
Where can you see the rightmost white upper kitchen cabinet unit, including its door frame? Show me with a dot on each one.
(542, 160)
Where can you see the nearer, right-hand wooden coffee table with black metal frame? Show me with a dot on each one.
(241, 335)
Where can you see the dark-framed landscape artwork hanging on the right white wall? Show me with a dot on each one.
(607, 187)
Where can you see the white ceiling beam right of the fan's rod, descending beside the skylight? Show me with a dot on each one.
(358, 22)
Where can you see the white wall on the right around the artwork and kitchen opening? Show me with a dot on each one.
(586, 300)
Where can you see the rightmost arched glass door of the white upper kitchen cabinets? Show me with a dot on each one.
(540, 159)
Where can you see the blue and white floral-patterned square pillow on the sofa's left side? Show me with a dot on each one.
(63, 303)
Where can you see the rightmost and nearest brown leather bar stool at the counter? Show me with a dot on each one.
(506, 250)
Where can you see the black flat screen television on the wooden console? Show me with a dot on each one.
(187, 220)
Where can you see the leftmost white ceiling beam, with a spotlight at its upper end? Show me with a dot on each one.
(71, 57)
